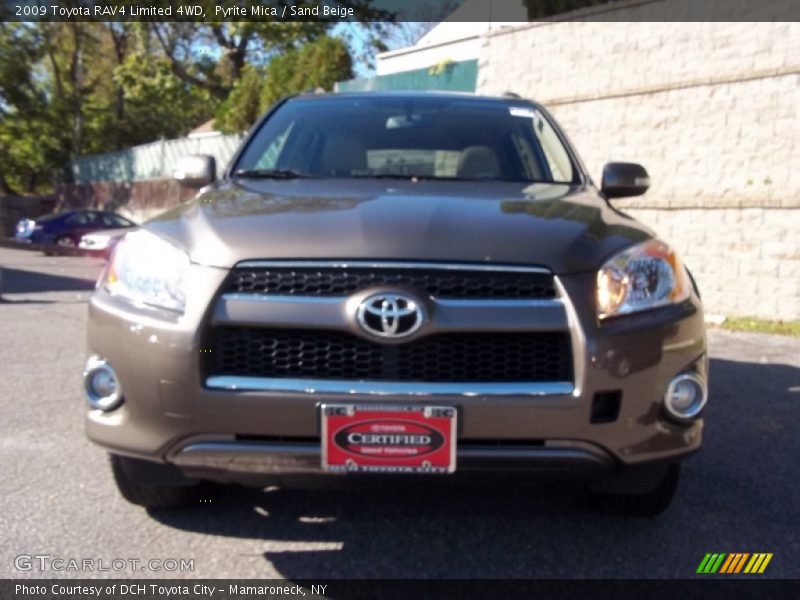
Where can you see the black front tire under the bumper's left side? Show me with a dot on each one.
(153, 485)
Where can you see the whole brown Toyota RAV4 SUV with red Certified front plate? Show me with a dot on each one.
(398, 283)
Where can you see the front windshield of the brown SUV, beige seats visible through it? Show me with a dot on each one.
(384, 137)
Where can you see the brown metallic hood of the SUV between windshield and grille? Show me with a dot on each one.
(551, 225)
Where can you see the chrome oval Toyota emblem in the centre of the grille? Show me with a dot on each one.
(389, 315)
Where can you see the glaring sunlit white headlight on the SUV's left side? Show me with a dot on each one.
(148, 270)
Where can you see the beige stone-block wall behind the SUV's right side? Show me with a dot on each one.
(711, 109)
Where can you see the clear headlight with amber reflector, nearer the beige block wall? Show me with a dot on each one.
(645, 276)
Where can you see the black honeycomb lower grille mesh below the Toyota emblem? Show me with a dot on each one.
(455, 357)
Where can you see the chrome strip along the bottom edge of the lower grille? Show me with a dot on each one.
(386, 388)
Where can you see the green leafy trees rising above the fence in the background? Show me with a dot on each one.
(74, 88)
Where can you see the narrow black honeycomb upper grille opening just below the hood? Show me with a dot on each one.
(346, 280)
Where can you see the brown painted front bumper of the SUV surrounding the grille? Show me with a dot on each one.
(172, 415)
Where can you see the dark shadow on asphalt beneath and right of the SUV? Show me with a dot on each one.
(733, 497)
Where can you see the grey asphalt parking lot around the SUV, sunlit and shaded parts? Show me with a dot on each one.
(739, 494)
